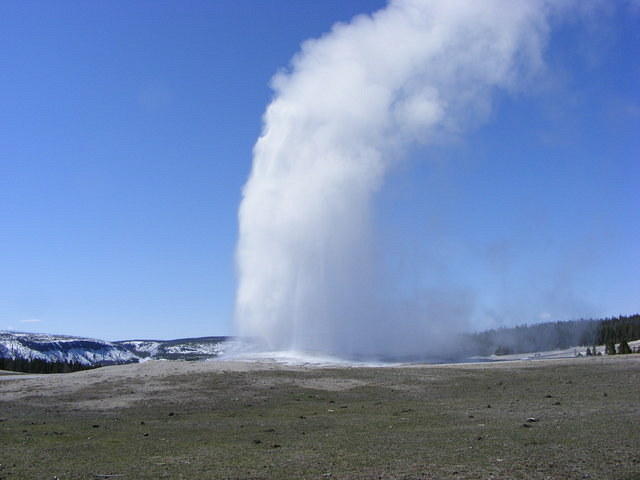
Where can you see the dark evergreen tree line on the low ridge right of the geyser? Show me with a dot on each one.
(557, 335)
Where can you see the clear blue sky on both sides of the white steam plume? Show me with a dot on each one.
(126, 131)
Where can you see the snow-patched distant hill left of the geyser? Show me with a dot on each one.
(89, 351)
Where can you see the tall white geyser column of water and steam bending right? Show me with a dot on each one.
(342, 115)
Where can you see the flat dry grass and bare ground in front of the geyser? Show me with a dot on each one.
(551, 419)
